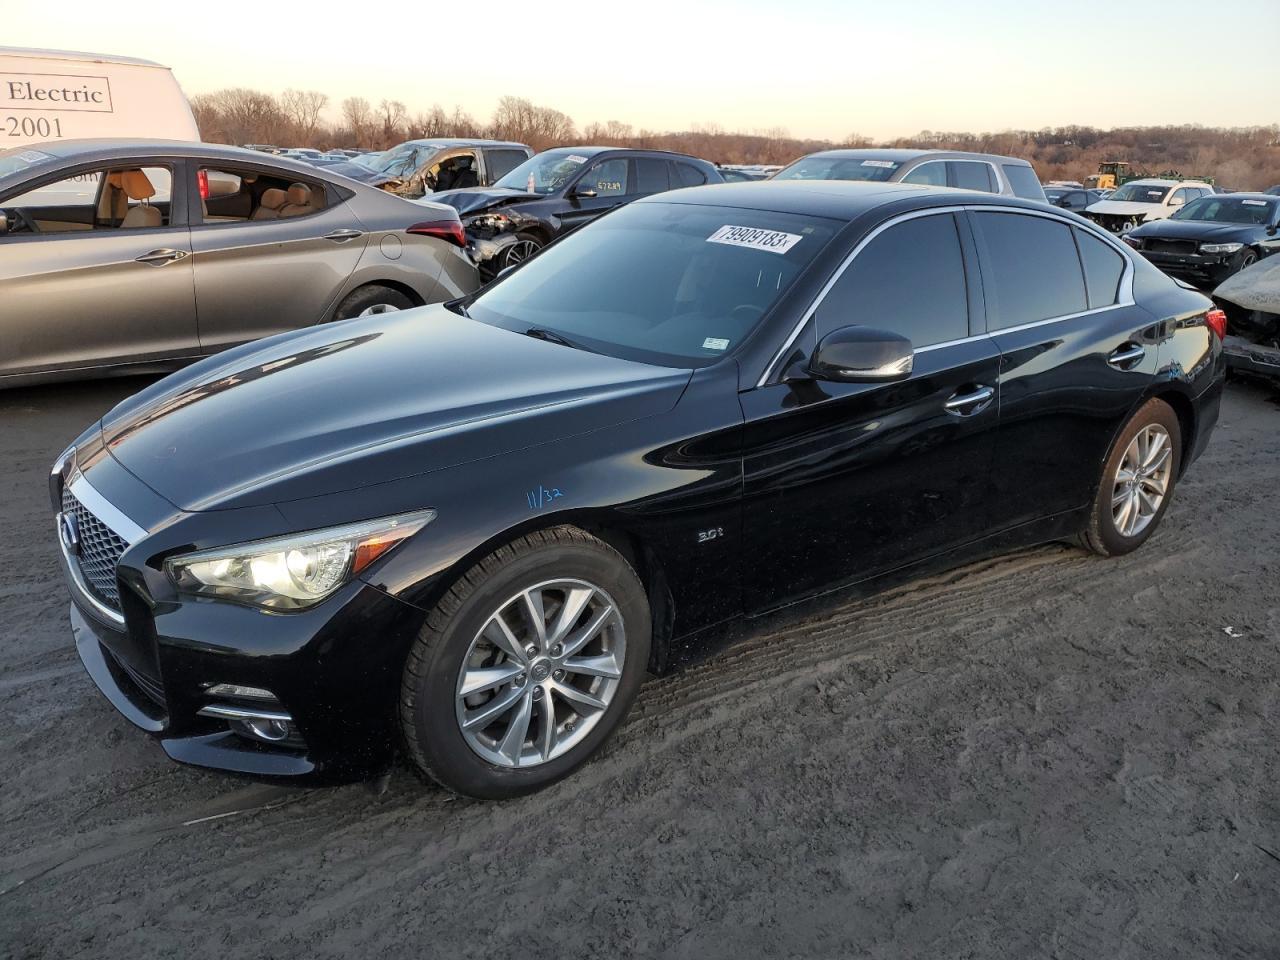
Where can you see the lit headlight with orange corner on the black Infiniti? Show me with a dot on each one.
(290, 573)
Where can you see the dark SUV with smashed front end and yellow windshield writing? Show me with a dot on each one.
(560, 190)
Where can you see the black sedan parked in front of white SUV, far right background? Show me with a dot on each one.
(1212, 239)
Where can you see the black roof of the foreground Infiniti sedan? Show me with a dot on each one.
(835, 200)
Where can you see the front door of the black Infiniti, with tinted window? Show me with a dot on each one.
(845, 481)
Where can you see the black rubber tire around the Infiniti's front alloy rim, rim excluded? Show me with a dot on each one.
(449, 757)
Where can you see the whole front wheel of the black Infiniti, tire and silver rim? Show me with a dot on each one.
(499, 758)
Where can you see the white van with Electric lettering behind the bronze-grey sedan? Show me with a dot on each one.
(61, 95)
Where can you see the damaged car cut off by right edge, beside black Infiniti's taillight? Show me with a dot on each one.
(1251, 301)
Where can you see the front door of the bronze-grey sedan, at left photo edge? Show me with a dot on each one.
(84, 290)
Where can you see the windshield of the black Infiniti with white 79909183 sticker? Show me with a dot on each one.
(662, 284)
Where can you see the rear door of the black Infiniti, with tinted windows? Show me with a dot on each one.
(1077, 355)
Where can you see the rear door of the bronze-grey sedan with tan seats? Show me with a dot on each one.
(260, 277)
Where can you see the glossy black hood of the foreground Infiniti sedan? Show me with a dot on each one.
(368, 401)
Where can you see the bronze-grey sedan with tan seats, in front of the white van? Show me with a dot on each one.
(121, 257)
